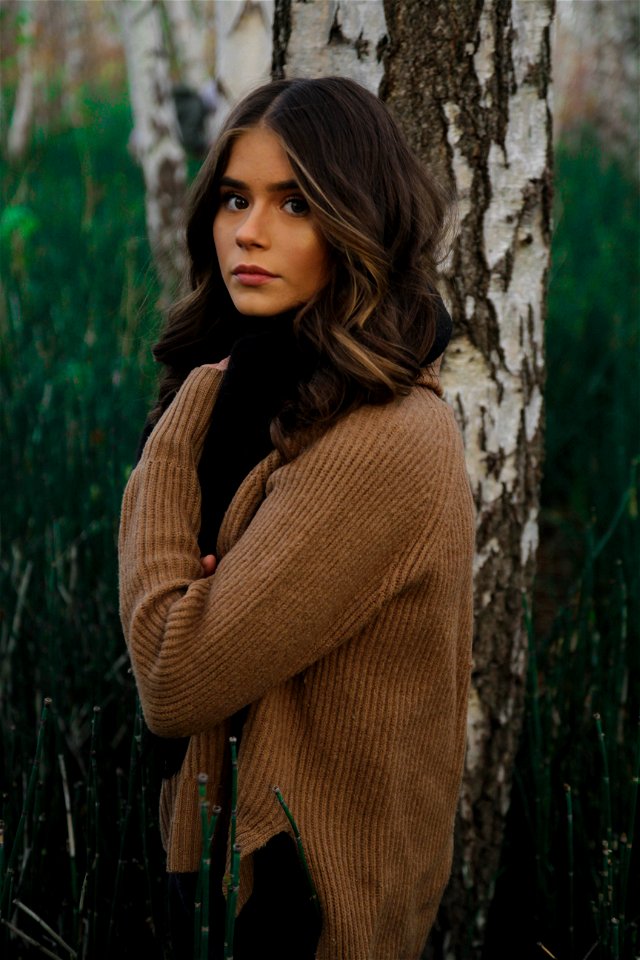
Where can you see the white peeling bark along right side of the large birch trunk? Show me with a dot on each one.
(498, 394)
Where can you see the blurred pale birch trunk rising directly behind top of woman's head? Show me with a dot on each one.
(243, 49)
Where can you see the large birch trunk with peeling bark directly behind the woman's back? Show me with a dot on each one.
(469, 83)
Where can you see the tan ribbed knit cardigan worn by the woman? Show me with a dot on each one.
(341, 611)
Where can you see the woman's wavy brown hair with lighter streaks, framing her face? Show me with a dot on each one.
(384, 219)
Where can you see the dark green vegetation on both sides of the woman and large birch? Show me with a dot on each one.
(77, 317)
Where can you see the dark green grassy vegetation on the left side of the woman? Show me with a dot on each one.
(77, 318)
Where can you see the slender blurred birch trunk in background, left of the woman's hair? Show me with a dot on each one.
(156, 137)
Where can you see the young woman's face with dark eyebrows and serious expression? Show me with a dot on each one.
(271, 255)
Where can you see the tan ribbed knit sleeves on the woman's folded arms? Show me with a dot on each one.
(314, 563)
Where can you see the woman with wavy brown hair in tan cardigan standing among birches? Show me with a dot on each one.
(296, 540)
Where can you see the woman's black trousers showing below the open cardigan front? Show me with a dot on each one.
(278, 919)
